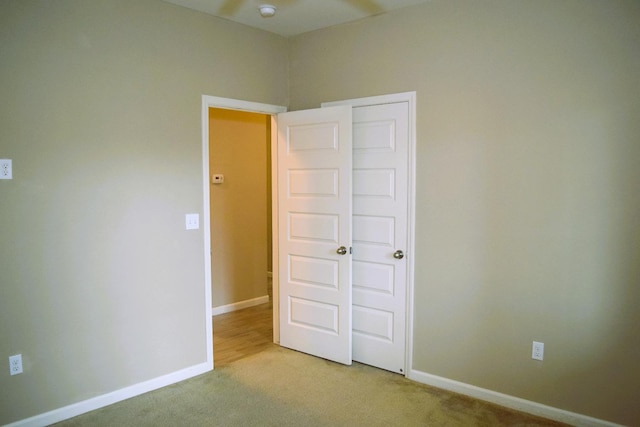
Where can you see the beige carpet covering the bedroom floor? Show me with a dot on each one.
(280, 387)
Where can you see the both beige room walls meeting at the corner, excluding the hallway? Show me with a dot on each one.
(527, 206)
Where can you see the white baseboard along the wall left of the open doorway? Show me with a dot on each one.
(98, 402)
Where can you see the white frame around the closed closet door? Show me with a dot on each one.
(410, 99)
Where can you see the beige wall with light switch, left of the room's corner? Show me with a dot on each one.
(101, 286)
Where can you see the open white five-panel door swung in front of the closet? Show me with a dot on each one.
(314, 216)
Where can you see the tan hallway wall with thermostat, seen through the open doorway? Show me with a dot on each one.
(239, 143)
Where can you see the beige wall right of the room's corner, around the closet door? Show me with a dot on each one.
(527, 186)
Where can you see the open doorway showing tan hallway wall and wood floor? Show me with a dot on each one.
(241, 233)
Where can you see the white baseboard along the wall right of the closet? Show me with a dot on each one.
(512, 402)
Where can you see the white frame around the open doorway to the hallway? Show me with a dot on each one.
(209, 101)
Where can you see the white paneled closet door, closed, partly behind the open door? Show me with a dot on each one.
(380, 207)
